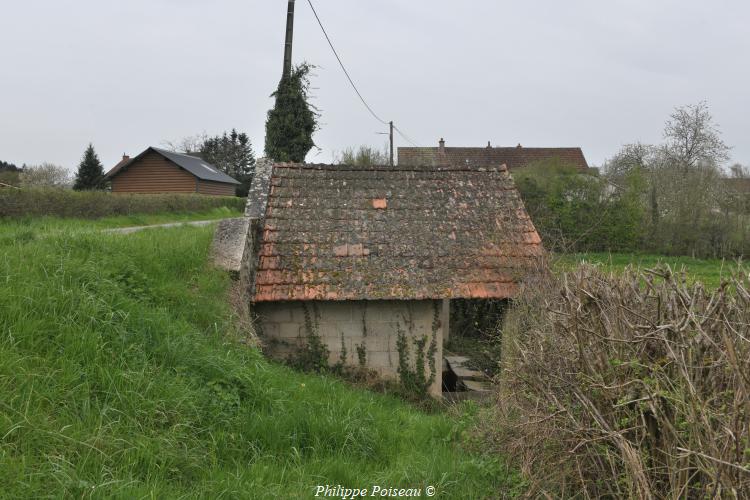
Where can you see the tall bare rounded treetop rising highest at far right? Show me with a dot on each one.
(693, 138)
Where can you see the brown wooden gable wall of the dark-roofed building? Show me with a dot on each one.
(154, 174)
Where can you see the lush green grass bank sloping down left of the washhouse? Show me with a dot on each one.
(119, 379)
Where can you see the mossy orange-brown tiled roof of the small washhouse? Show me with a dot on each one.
(366, 233)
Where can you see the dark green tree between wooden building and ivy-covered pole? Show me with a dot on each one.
(233, 154)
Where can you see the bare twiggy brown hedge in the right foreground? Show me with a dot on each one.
(630, 387)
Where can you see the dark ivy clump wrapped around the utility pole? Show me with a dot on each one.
(293, 120)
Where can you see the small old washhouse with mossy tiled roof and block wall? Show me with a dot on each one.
(362, 255)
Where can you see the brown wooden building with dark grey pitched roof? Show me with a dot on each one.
(160, 171)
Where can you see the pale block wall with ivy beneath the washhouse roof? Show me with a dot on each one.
(373, 324)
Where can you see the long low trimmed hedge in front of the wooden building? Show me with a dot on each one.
(91, 205)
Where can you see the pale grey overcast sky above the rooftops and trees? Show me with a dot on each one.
(129, 74)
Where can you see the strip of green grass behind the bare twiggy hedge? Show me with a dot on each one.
(710, 272)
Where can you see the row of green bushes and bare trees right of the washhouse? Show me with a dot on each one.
(672, 198)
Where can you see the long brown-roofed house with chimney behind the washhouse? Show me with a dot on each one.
(512, 157)
